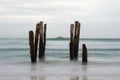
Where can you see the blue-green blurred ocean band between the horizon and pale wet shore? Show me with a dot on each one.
(100, 50)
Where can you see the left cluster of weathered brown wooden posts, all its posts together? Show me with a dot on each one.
(40, 35)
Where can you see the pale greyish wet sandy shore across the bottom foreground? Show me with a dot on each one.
(59, 70)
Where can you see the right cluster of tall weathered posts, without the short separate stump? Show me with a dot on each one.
(74, 40)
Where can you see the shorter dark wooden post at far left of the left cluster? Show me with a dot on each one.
(32, 49)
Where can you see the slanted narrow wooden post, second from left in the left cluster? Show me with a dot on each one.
(36, 38)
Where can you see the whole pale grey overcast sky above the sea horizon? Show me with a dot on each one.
(98, 18)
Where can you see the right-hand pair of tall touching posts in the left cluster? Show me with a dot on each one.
(42, 42)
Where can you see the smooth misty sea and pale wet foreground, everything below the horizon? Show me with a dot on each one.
(103, 60)
